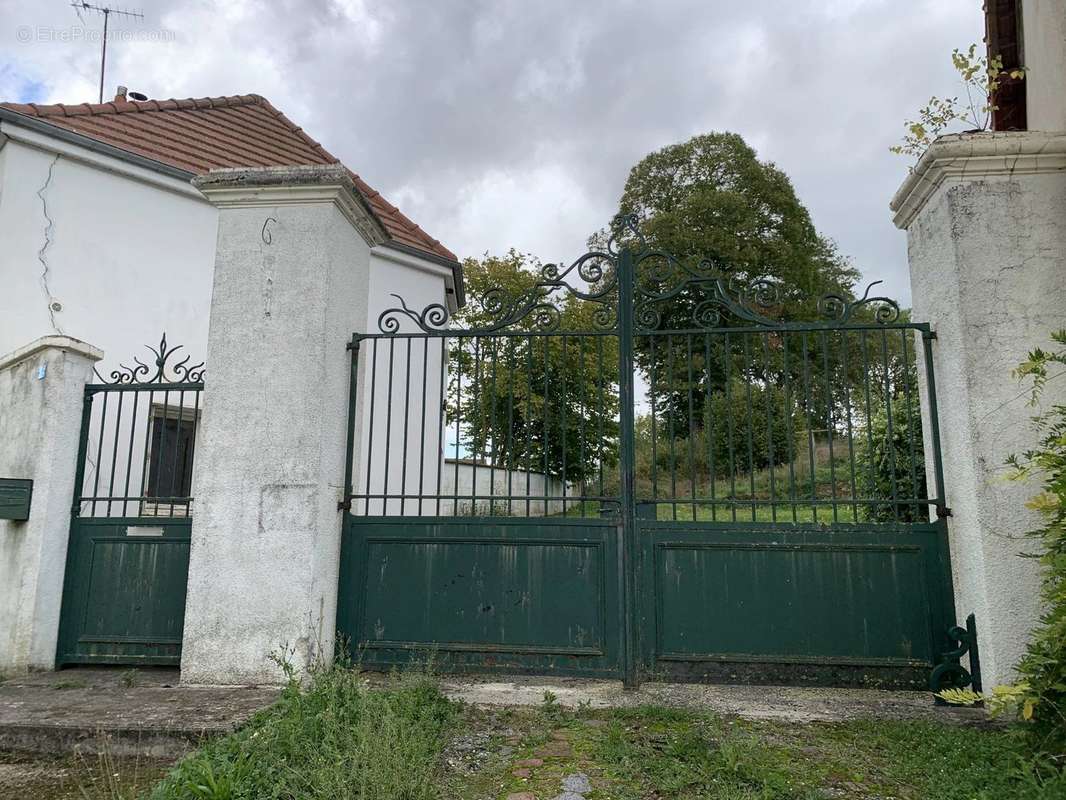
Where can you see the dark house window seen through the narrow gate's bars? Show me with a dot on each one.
(170, 460)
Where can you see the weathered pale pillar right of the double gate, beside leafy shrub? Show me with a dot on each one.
(987, 238)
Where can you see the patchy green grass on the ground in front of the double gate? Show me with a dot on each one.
(342, 739)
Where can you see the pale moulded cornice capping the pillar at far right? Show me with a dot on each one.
(979, 156)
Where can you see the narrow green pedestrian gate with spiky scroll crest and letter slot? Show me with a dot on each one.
(127, 567)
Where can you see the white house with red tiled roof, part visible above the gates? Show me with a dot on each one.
(106, 239)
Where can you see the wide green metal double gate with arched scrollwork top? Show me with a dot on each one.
(637, 466)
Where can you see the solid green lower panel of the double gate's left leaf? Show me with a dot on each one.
(482, 594)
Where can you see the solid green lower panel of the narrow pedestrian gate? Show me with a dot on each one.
(124, 599)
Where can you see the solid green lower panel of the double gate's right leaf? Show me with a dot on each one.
(831, 597)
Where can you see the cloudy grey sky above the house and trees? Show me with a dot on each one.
(502, 124)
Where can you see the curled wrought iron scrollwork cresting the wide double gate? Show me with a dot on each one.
(721, 296)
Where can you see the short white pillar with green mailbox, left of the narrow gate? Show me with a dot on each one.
(42, 392)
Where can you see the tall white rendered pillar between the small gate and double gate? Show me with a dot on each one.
(292, 284)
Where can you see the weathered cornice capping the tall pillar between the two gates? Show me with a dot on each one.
(267, 187)
